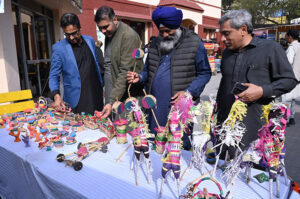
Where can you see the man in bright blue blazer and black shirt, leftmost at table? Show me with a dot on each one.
(75, 58)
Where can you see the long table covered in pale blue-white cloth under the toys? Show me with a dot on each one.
(34, 173)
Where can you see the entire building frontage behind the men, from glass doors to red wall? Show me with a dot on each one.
(29, 28)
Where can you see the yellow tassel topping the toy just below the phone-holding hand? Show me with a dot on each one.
(237, 112)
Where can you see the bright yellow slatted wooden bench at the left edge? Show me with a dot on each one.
(16, 106)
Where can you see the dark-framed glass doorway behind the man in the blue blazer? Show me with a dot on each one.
(34, 33)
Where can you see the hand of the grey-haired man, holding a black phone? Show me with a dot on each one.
(251, 94)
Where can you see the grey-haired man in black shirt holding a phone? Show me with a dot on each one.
(259, 64)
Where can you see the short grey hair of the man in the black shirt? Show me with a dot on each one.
(238, 18)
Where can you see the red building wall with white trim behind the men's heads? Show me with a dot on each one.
(200, 16)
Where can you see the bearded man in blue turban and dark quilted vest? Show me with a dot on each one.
(176, 62)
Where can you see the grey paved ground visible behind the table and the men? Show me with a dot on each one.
(292, 159)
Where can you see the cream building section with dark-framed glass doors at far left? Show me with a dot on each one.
(28, 30)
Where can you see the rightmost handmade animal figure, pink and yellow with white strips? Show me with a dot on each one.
(268, 151)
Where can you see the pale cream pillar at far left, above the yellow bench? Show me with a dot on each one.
(9, 72)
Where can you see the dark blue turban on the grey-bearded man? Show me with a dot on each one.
(170, 17)
